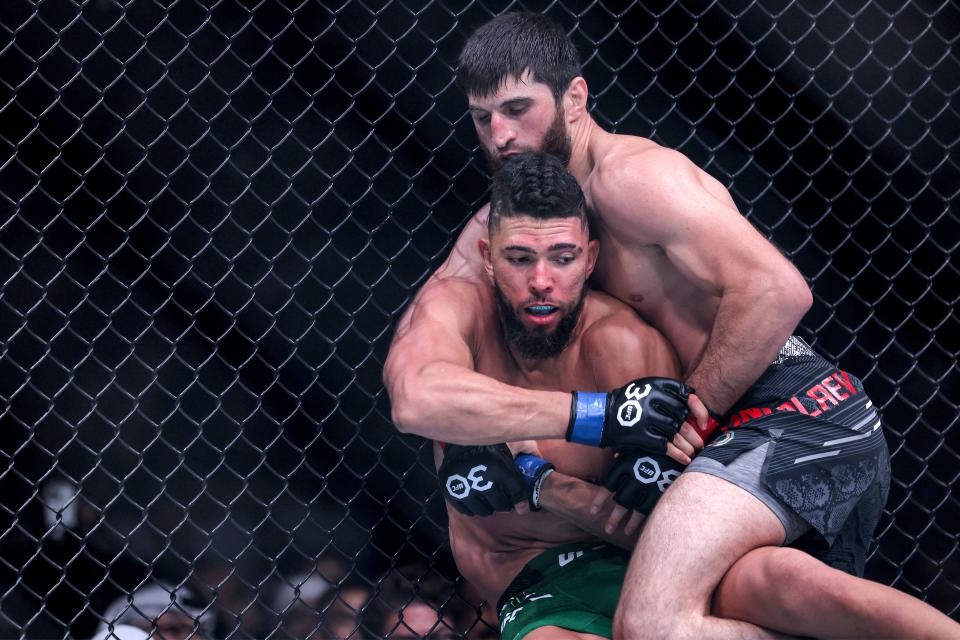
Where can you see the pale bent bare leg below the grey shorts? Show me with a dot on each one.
(700, 528)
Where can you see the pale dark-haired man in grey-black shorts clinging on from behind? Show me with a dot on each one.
(803, 459)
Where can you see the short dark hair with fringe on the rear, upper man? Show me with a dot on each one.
(511, 43)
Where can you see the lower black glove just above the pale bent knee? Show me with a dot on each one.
(638, 479)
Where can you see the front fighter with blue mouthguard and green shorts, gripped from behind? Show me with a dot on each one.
(552, 334)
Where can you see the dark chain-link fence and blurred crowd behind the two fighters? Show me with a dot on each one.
(214, 213)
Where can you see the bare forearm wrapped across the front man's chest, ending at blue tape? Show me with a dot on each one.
(453, 404)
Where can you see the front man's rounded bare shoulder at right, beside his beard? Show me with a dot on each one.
(618, 345)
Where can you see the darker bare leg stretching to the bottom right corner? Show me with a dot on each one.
(793, 592)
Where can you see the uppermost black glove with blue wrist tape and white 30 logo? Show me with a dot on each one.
(645, 414)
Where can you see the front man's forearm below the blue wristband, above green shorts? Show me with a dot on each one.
(571, 499)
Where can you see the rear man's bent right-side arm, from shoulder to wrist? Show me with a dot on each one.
(762, 296)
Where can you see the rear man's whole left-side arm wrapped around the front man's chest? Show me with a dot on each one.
(434, 390)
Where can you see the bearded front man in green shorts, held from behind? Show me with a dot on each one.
(539, 327)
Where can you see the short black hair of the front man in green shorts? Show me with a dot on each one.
(535, 185)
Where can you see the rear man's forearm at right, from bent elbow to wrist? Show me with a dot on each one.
(748, 333)
